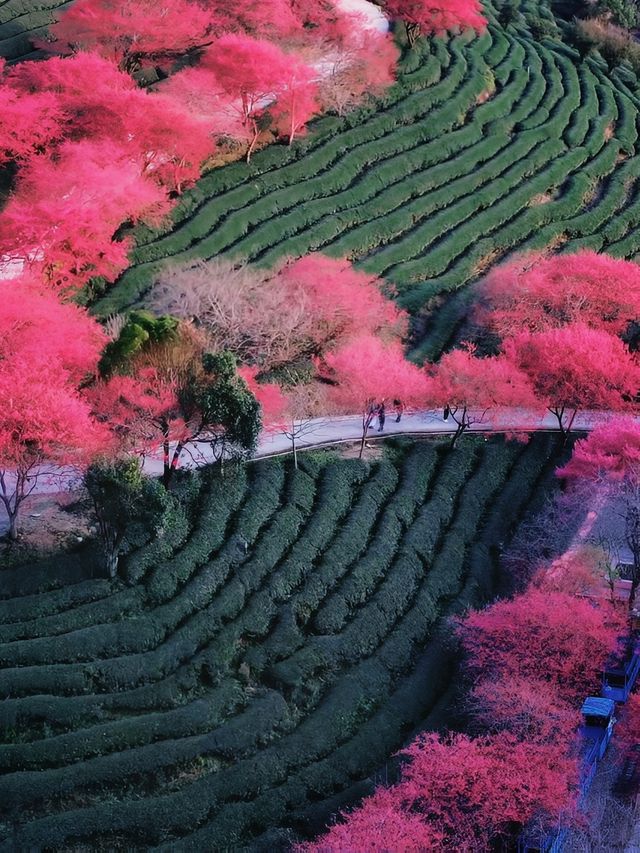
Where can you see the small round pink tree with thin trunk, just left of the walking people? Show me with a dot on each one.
(365, 371)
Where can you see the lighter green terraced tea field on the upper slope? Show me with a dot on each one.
(486, 146)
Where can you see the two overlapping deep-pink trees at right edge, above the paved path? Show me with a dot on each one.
(561, 322)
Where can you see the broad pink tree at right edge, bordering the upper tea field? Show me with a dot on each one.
(538, 292)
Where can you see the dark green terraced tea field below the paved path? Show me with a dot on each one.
(254, 674)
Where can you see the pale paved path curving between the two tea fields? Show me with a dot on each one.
(322, 432)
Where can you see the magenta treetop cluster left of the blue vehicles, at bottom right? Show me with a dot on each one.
(530, 668)
